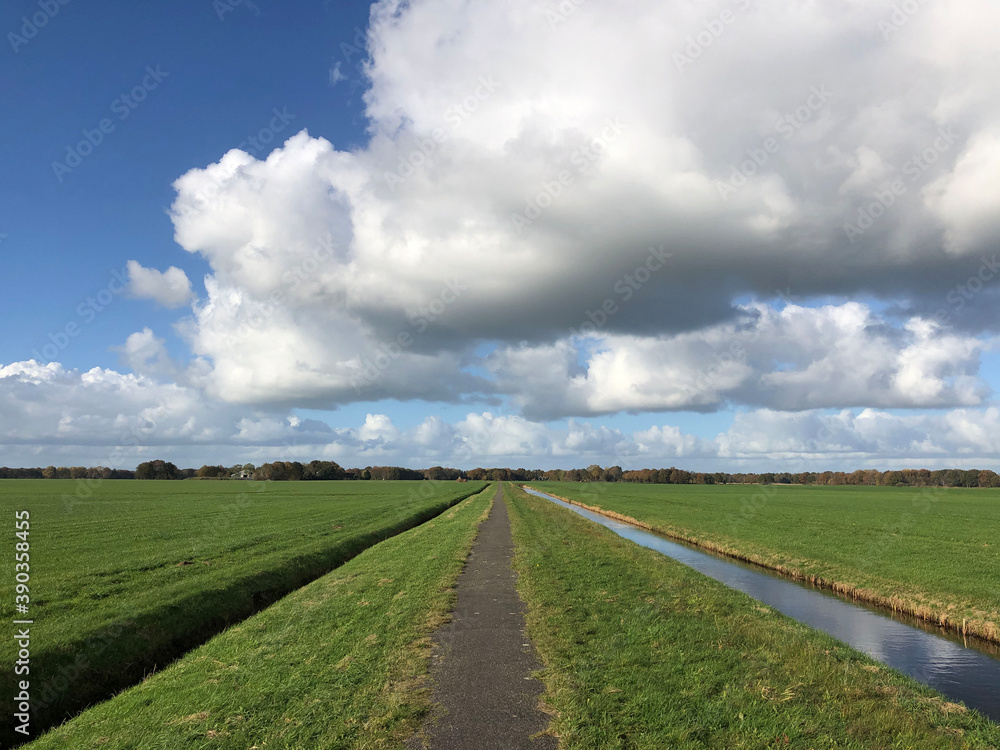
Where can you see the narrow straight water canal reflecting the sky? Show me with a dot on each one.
(965, 670)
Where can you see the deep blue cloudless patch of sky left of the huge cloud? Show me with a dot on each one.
(224, 78)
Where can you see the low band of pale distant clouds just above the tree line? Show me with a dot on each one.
(104, 417)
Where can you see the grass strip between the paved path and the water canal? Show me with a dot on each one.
(642, 652)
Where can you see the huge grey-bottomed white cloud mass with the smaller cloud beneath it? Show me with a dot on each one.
(515, 184)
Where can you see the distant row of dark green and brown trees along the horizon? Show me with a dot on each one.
(279, 471)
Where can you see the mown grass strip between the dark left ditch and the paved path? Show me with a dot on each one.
(340, 663)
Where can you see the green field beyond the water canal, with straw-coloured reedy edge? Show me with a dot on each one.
(934, 553)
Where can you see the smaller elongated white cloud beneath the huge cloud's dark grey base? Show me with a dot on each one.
(796, 358)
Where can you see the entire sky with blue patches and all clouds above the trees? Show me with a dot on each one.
(725, 235)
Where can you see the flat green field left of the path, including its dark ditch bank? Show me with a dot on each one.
(126, 580)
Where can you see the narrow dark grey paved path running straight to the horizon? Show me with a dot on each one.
(482, 661)
